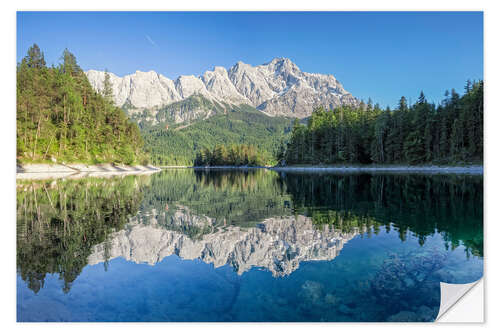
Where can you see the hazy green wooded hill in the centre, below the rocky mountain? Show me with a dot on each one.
(240, 125)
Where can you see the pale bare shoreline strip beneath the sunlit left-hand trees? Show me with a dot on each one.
(74, 171)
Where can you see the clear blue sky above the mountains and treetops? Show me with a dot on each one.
(382, 55)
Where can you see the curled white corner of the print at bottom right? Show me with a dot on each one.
(459, 304)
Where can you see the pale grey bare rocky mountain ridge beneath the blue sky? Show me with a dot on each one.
(277, 88)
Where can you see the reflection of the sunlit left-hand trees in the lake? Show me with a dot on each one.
(59, 222)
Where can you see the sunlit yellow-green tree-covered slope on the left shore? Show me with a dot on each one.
(61, 118)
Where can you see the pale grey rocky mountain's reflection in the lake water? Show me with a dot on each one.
(276, 244)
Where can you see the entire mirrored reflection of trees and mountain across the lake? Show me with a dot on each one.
(61, 224)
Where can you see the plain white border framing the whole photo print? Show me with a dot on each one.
(492, 167)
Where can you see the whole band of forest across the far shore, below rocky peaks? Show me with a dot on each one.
(61, 118)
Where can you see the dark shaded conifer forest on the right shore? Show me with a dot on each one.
(421, 133)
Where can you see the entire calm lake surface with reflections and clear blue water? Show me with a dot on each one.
(189, 245)
